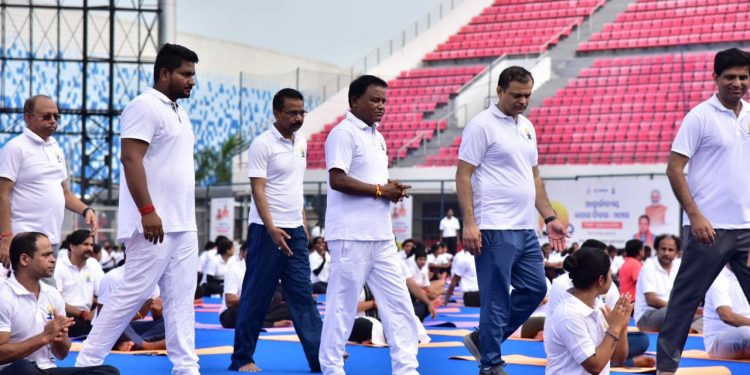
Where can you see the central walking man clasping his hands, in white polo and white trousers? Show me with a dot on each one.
(359, 233)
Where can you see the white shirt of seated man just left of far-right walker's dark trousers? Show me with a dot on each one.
(653, 279)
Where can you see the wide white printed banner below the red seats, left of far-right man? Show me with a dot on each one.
(608, 209)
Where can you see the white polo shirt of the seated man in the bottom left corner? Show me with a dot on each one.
(24, 316)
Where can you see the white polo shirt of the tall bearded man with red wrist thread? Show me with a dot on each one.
(169, 163)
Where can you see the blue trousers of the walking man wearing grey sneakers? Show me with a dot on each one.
(509, 257)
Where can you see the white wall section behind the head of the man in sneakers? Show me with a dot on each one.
(480, 92)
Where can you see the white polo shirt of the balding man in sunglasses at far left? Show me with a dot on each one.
(37, 169)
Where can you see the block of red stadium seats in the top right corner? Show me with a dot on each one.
(657, 23)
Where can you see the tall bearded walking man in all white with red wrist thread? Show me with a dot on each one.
(156, 214)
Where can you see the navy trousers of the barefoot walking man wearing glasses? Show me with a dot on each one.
(266, 264)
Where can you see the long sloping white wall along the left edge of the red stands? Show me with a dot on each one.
(407, 58)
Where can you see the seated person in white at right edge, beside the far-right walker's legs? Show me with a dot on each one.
(726, 318)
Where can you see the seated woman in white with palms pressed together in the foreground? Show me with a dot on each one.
(582, 335)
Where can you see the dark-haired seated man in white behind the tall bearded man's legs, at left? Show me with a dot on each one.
(77, 277)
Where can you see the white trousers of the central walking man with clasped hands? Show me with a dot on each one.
(376, 262)
